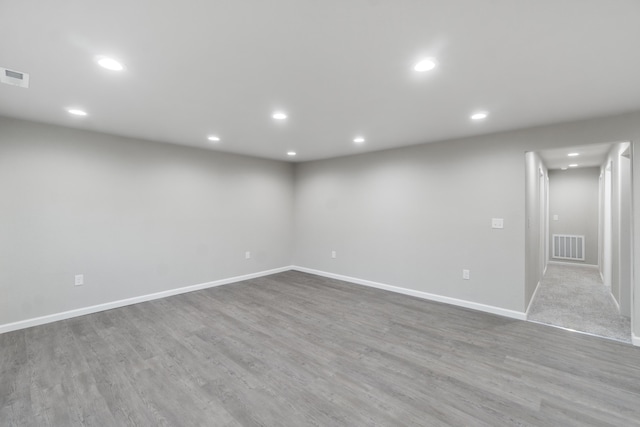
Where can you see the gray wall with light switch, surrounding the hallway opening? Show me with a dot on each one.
(415, 217)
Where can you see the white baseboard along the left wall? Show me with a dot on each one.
(22, 324)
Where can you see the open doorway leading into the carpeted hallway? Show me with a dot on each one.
(579, 239)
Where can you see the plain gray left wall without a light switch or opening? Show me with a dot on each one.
(135, 217)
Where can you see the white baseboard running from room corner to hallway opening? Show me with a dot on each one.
(424, 295)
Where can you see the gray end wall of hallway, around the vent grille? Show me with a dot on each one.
(574, 198)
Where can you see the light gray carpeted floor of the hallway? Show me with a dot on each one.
(575, 298)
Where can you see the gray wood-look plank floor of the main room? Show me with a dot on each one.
(295, 349)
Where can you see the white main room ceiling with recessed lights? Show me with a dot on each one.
(338, 68)
